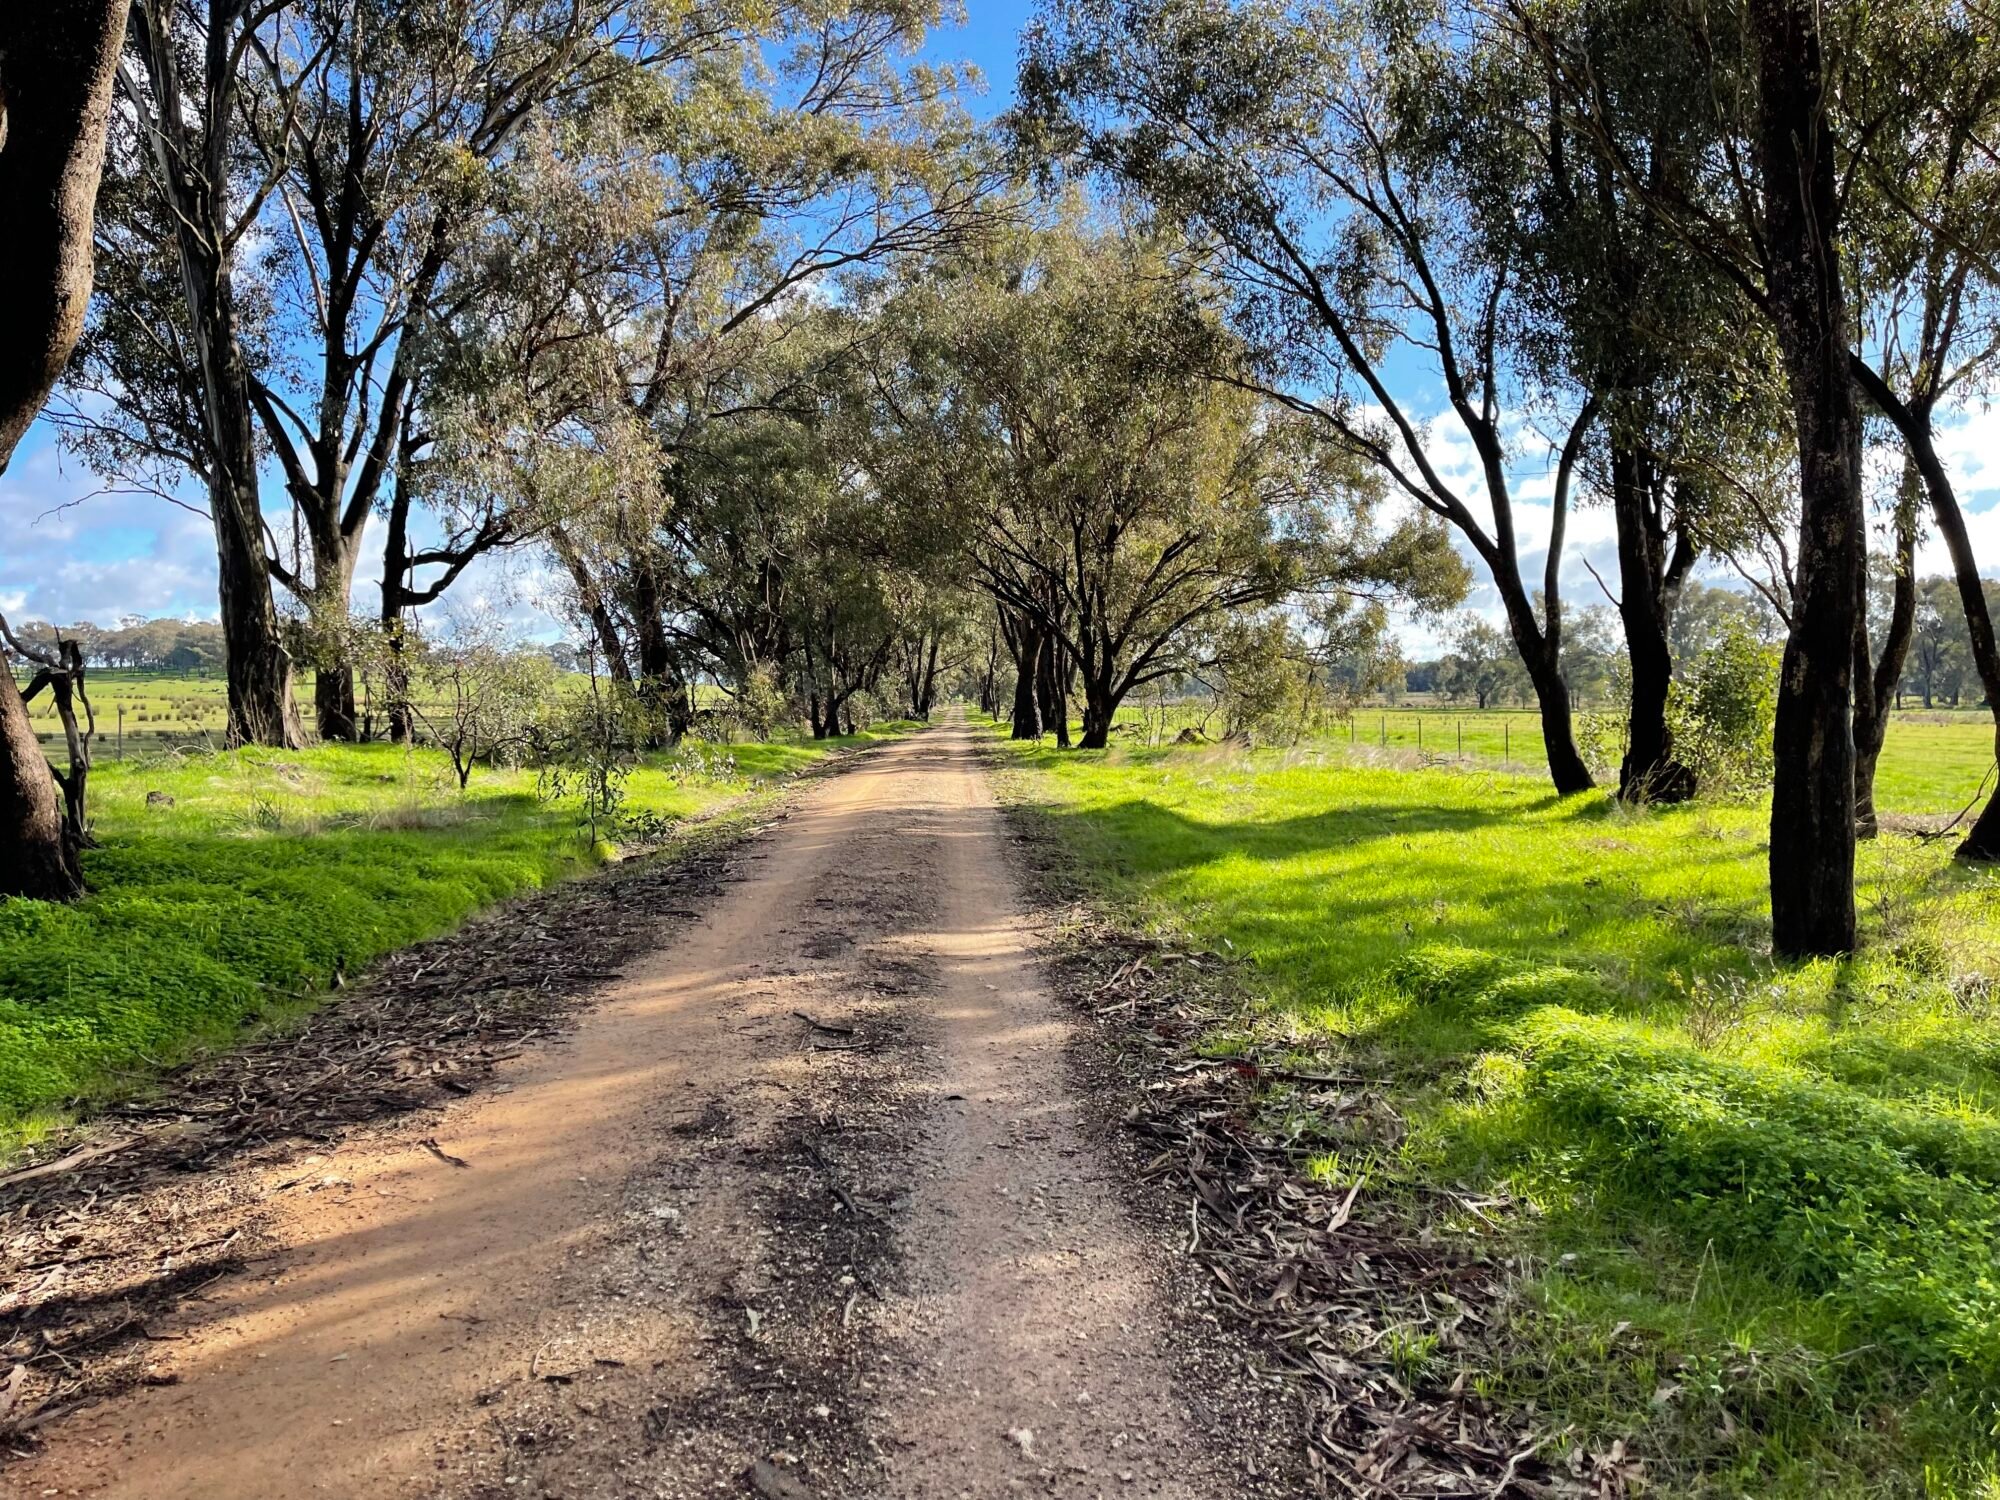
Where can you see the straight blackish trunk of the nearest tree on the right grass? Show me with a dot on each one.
(1813, 797)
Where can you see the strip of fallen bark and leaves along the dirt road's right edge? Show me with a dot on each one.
(1271, 1261)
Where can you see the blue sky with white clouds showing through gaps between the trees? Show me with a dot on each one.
(77, 551)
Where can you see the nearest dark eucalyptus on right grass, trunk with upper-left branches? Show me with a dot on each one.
(1767, 207)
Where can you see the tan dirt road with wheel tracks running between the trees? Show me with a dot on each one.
(807, 1207)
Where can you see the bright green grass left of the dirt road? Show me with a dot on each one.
(267, 877)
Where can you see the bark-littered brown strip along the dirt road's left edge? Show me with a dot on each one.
(101, 1261)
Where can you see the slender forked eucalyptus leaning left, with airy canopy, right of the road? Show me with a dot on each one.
(1271, 135)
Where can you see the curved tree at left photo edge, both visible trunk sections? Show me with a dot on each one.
(57, 67)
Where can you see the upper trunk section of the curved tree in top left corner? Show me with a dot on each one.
(57, 71)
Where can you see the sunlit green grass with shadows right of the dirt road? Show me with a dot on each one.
(1759, 1205)
